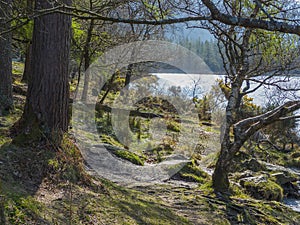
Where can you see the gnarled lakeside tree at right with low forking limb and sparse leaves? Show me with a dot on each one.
(249, 56)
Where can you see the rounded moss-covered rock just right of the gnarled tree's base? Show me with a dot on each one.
(261, 187)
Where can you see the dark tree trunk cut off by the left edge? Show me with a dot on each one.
(6, 100)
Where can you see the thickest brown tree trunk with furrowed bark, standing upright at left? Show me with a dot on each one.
(48, 89)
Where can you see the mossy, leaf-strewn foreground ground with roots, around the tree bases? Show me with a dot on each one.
(41, 183)
